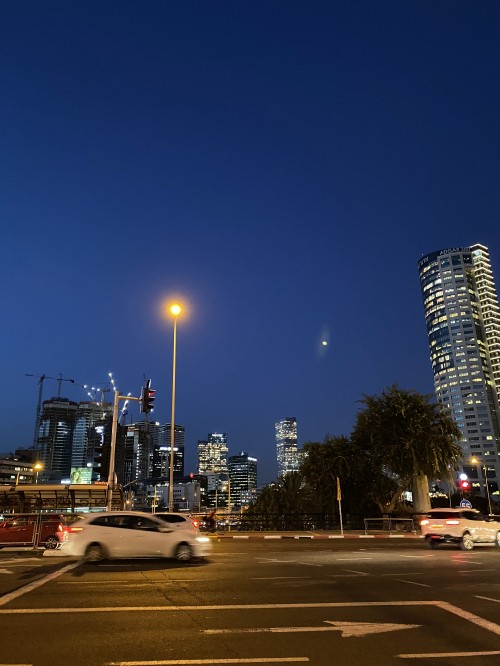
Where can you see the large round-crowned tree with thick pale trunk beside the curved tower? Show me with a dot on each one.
(408, 438)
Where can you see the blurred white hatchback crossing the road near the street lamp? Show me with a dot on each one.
(126, 534)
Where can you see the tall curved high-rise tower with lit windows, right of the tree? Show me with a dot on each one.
(463, 327)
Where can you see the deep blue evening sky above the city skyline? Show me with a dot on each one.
(282, 165)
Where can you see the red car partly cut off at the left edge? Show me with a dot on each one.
(33, 529)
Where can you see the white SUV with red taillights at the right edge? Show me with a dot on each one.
(464, 527)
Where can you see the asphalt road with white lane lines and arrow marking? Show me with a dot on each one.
(257, 601)
